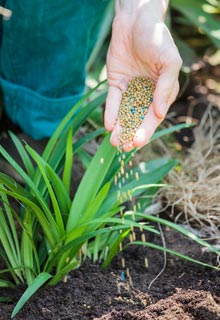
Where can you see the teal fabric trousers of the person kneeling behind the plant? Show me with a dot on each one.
(44, 49)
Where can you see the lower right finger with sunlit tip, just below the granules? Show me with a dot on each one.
(147, 128)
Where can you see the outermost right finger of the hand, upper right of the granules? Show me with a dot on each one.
(165, 85)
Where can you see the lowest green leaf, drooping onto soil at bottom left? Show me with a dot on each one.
(36, 284)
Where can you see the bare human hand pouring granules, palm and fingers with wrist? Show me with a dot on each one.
(141, 44)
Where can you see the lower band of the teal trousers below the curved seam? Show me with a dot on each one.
(36, 115)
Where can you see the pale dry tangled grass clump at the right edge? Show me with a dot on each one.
(195, 195)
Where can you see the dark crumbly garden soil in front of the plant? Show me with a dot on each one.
(183, 291)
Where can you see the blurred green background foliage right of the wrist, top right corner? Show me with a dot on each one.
(195, 27)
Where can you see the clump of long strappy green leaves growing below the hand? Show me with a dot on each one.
(46, 240)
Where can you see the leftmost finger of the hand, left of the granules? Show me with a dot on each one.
(112, 107)
